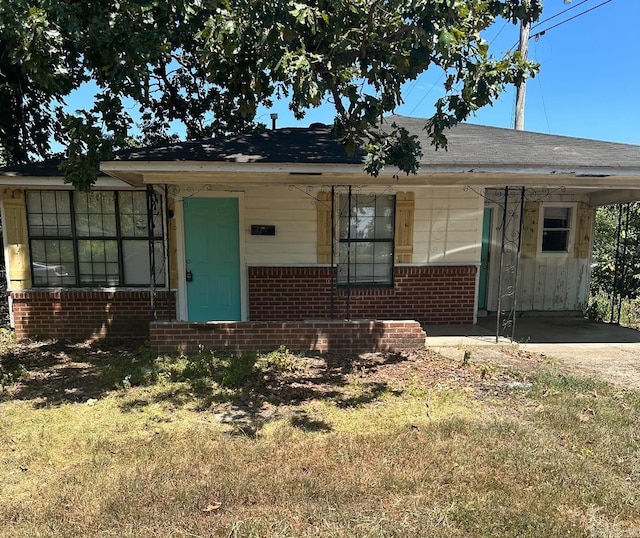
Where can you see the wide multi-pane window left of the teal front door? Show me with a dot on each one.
(98, 238)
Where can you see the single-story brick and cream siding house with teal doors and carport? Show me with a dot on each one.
(281, 232)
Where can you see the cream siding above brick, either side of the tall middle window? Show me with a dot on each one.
(447, 226)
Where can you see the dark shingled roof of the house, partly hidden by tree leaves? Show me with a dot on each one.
(470, 146)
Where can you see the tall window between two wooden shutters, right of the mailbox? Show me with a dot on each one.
(365, 253)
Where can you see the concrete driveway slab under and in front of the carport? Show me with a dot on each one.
(609, 352)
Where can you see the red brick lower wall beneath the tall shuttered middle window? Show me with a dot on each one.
(430, 295)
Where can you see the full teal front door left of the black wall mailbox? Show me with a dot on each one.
(212, 259)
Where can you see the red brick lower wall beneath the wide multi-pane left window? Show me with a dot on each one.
(86, 313)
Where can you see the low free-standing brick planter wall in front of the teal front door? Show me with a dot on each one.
(321, 336)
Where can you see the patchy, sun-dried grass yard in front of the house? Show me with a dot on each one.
(115, 441)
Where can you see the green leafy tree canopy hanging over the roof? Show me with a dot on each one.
(209, 64)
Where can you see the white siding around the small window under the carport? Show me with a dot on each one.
(551, 282)
